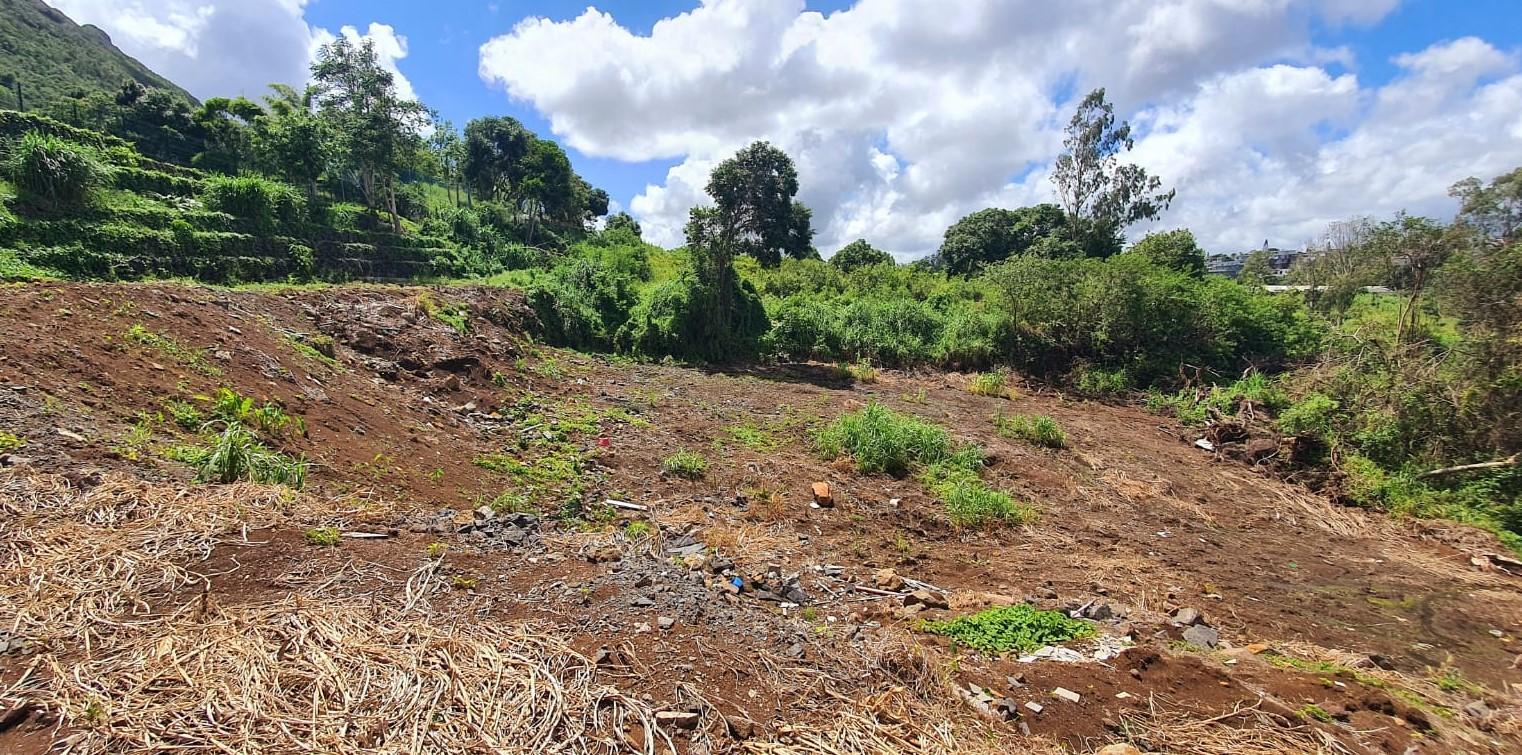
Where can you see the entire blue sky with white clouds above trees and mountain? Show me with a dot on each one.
(1272, 118)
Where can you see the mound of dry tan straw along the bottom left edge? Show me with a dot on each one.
(333, 677)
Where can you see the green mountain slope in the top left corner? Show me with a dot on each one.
(54, 57)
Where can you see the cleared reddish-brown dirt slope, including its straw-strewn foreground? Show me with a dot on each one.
(1339, 631)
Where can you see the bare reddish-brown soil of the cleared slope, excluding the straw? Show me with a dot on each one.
(1129, 515)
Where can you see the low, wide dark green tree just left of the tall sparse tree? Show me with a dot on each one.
(995, 235)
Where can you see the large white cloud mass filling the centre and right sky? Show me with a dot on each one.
(903, 116)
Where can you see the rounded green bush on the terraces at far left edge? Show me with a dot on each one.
(54, 173)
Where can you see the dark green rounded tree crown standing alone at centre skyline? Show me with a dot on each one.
(754, 208)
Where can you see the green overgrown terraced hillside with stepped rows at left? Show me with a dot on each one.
(151, 225)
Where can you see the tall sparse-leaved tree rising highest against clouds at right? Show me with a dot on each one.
(1101, 194)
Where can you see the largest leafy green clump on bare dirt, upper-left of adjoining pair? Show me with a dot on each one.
(884, 441)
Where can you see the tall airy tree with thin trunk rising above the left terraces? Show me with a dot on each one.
(380, 132)
